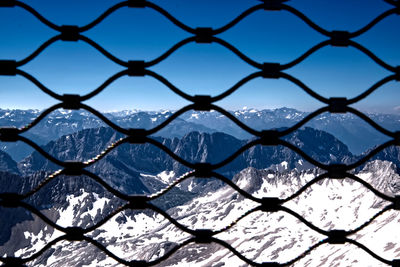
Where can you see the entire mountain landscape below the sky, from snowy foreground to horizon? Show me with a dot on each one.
(197, 203)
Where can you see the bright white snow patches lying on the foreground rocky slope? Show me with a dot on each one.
(260, 236)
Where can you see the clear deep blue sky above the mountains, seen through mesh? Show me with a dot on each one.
(144, 34)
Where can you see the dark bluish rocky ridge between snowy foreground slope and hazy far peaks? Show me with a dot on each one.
(130, 160)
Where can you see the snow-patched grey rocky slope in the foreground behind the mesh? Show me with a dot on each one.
(261, 236)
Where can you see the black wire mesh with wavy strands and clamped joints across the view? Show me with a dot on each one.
(266, 137)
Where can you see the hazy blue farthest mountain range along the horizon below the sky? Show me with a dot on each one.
(354, 132)
